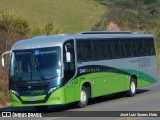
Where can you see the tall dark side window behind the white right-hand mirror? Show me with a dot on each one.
(69, 67)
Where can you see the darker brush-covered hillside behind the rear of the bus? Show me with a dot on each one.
(133, 15)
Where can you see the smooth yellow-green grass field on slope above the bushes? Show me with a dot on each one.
(72, 15)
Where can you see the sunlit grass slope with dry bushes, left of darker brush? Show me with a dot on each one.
(30, 18)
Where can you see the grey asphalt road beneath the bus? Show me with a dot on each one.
(146, 99)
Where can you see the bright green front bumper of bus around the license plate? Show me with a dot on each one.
(56, 98)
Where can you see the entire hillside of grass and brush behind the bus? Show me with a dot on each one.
(74, 16)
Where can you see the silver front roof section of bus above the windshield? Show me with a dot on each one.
(42, 41)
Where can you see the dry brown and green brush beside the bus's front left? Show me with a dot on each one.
(12, 29)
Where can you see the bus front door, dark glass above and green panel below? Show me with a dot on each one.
(69, 70)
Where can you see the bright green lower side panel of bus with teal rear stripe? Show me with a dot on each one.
(104, 83)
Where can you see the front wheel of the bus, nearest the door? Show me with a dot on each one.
(83, 98)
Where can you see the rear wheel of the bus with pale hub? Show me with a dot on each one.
(132, 88)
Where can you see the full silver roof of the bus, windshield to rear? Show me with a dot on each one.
(59, 39)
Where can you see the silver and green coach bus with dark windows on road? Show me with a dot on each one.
(63, 68)
